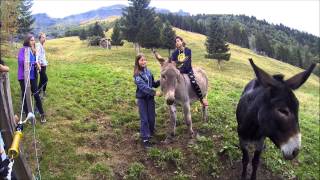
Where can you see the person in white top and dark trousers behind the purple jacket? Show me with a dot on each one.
(41, 59)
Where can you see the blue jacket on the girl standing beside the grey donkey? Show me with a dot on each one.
(145, 82)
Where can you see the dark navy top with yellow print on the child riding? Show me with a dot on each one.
(183, 60)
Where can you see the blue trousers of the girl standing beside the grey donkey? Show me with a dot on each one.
(147, 117)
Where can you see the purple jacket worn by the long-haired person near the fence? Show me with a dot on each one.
(21, 58)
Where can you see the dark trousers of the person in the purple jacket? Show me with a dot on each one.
(35, 92)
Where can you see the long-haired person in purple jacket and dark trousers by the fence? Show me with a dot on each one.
(28, 53)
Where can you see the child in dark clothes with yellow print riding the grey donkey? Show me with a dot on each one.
(182, 58)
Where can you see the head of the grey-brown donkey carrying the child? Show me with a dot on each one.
(169, 77)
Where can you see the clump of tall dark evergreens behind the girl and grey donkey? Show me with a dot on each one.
(141, 25)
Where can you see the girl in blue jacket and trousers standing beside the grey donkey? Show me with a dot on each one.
(145, 93)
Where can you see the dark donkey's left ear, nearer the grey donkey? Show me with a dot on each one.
(264, 78)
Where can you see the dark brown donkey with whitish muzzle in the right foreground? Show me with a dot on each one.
(269, 108)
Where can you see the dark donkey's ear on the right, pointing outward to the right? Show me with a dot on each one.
(297, 80)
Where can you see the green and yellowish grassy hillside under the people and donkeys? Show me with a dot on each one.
(93, 124)
